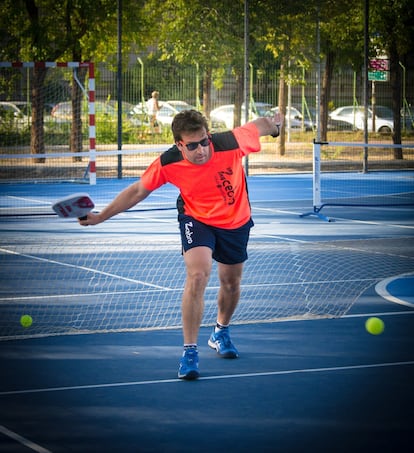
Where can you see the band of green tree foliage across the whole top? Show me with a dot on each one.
(207, 34)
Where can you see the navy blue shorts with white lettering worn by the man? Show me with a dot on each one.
(228, 246)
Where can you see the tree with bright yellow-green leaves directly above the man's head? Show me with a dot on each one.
(207, 34)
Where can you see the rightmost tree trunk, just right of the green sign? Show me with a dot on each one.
(395, 79)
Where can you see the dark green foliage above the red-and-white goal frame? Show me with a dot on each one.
(47, 30)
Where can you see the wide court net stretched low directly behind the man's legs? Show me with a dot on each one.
(120, 283)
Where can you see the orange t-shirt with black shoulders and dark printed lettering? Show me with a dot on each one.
(214, 193)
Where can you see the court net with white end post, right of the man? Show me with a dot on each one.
(374, 184)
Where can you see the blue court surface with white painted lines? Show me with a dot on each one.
(86, 378)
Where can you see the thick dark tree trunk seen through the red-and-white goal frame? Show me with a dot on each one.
(37, 139)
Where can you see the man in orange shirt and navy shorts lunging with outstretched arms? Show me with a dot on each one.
(214, 218)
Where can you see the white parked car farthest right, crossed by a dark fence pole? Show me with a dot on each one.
(384, 123)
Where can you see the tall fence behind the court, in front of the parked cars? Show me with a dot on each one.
(182, 87)
